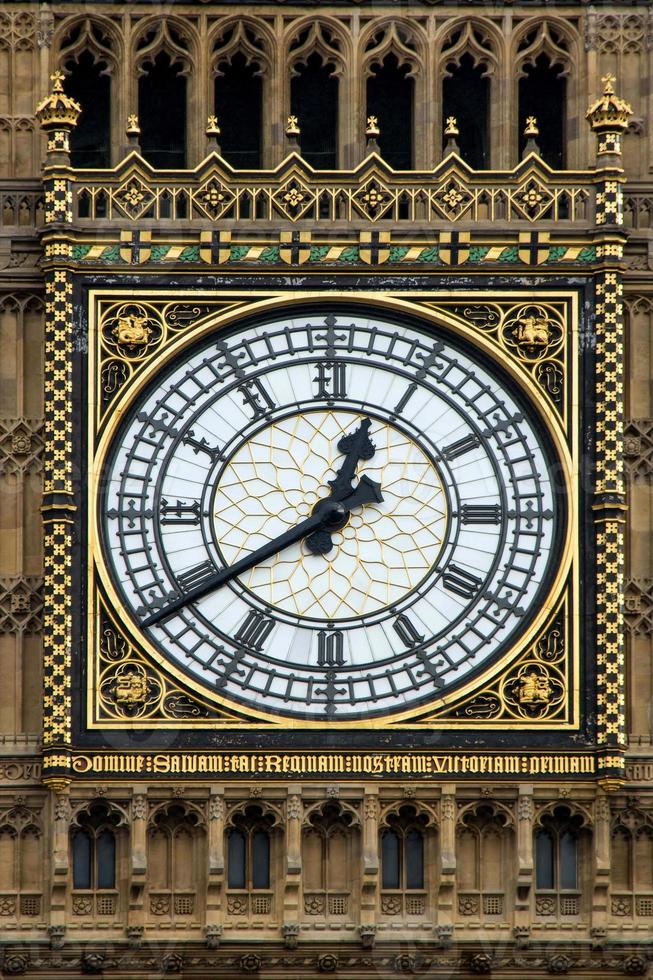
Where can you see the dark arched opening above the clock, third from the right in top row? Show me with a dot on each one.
(390, 95)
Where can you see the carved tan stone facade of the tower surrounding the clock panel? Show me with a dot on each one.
(171, 906)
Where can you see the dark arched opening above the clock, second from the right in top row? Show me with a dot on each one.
(465, 95)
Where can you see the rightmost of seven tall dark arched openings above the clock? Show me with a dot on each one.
(542, 93)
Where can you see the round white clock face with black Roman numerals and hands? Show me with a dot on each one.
(442, 527)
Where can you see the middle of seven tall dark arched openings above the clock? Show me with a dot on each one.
(314, 100)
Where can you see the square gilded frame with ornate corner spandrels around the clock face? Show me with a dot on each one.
(126, 687)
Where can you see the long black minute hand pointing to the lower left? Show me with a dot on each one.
(328, 514)
